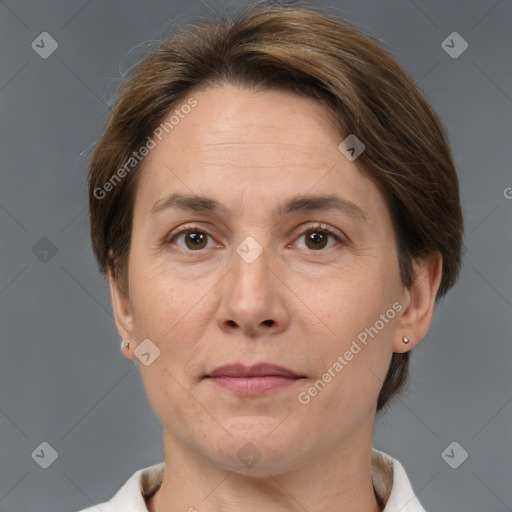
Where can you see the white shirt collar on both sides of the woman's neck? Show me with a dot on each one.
(390, 482)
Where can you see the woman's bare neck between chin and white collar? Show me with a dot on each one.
(338, 479)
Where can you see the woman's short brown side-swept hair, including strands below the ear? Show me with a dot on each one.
(310, 53)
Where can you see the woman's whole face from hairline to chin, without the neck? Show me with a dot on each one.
(254, 275)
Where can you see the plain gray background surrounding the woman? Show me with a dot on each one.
(63, 379)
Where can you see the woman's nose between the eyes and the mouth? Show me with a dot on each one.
(253, 298)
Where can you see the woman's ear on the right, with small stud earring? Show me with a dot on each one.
(419, 301)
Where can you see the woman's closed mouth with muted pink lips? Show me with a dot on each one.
(253, 380)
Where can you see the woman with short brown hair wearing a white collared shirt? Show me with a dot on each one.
(276, 208)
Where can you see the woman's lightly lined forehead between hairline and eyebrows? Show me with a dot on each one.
(266, 143)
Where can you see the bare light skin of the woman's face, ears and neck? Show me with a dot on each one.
(299, 305)
